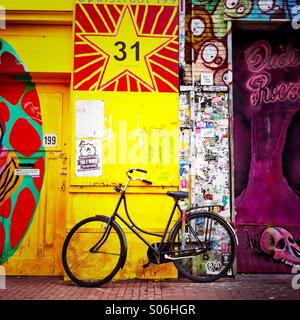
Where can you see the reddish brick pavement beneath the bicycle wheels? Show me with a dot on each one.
(242, 287)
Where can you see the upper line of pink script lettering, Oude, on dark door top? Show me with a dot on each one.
(259, 56)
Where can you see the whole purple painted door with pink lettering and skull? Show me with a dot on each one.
(266, 145)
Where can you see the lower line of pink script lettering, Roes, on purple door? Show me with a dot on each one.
(263, 92)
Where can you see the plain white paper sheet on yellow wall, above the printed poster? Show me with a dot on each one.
(89, 118)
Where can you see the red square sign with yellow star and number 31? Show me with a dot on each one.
(130, 48)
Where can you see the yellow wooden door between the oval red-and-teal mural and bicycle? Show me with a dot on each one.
(40, 251)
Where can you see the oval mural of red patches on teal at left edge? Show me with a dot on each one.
(21, 151)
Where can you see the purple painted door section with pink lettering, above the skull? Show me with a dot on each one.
(267, 85)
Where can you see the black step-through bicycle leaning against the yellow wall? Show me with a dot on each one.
(201, 244)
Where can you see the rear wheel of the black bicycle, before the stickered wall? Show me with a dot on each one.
(215, 242)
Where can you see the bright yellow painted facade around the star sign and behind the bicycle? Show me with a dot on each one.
(47, 51)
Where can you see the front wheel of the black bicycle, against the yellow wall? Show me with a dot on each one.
(94, 251)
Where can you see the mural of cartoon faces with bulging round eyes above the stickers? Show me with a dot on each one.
(207, 31)
